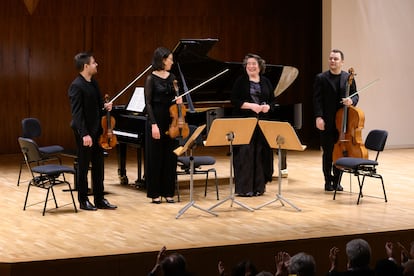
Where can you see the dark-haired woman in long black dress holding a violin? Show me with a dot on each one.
(160, 160)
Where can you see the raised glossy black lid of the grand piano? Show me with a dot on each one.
(191, 58)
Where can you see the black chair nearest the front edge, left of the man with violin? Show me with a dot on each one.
(43, 176)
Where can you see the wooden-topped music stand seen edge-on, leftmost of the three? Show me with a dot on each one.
(190, 144)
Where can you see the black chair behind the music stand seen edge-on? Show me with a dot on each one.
(183, 163)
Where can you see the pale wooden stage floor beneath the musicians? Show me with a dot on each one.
(139, 226)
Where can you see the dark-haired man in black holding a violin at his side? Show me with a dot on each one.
(88, 107)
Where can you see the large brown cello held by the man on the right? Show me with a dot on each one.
(349, 122)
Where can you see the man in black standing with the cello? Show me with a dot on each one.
(330, 88)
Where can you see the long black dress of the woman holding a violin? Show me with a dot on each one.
(160, 160)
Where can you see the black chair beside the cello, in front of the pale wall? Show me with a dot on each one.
(375, 141)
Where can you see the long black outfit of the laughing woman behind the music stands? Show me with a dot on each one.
(253, 163)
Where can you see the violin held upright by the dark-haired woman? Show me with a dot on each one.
(178, 126)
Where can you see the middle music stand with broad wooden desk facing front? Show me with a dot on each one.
(231, 131)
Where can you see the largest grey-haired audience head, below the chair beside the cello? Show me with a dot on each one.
(358, 252)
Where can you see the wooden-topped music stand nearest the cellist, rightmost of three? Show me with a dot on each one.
(280, 135)
